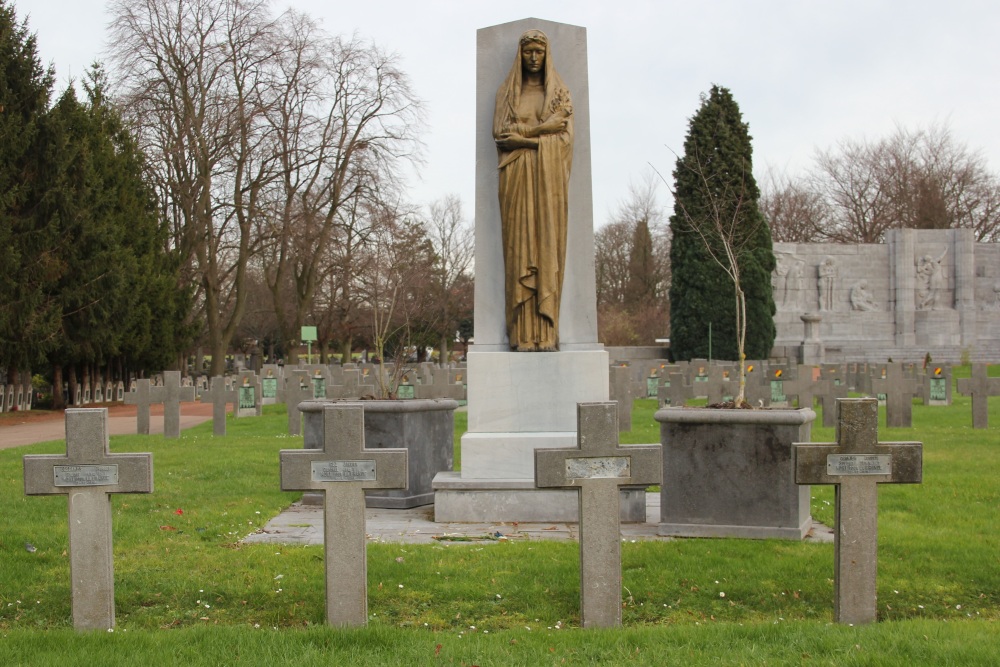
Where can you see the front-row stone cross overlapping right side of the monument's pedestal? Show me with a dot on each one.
(598, 469)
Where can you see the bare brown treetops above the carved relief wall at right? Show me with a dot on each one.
(855, 192)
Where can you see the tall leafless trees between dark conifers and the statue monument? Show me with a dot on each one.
(276, 150)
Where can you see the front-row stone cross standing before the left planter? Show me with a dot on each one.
(342, 470)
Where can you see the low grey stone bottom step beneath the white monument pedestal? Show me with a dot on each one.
(464, 500)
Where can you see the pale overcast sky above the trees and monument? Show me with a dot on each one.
(806, 74)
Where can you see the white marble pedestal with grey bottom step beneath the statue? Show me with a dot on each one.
(518, 402)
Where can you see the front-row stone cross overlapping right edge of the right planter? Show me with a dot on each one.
(857, 463)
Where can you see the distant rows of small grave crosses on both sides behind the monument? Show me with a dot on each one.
(769, 384)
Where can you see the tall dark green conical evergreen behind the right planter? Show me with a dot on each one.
(713, 181)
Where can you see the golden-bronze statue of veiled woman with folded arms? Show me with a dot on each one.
(533, 129)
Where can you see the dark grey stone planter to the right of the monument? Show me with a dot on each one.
(731, 473)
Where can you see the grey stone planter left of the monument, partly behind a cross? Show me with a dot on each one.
(424, 427)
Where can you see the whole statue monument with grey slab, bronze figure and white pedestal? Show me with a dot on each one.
(521, 400)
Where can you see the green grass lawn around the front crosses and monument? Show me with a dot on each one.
(188, 592)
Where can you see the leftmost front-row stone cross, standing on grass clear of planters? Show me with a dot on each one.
(86, 475)
